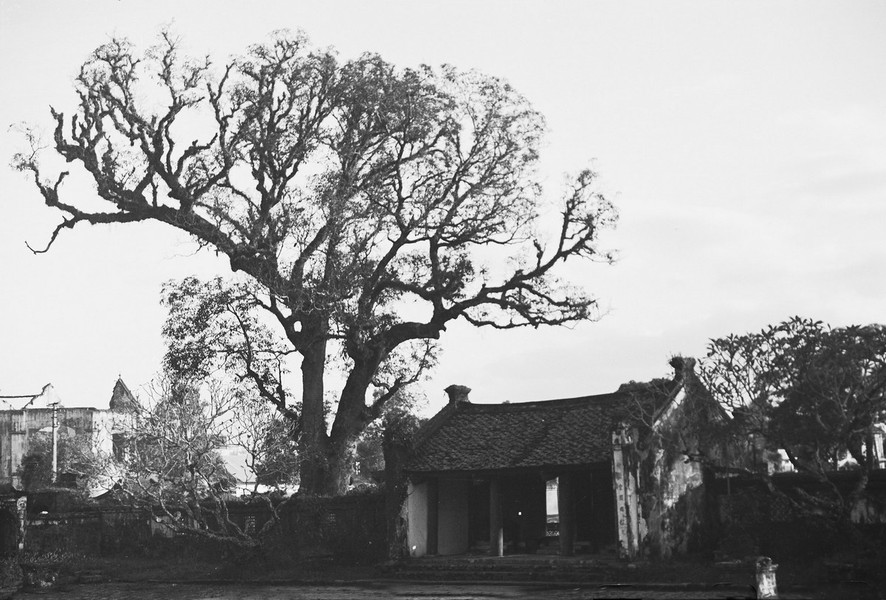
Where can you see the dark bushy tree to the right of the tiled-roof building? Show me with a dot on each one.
(814, 391)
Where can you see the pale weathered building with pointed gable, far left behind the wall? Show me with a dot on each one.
(28, 425)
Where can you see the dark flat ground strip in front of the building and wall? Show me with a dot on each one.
(187, 577)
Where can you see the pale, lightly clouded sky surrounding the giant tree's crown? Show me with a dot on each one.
(744, 145)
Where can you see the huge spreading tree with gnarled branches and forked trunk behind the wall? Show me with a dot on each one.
(362, 199)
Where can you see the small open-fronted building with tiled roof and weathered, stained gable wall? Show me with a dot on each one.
(479, 474)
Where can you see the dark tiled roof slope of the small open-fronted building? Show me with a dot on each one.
(477, 437)
